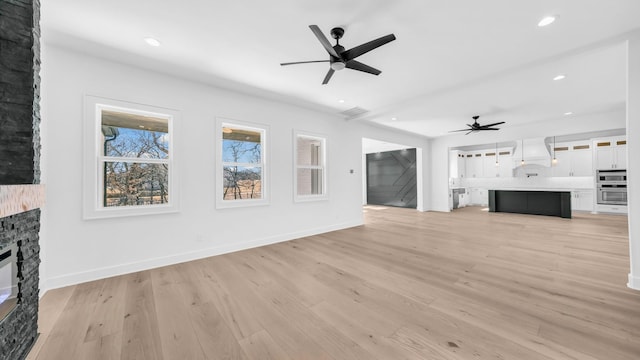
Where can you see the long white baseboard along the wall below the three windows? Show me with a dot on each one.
(121, 269)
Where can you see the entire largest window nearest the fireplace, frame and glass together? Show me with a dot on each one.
(128, 159)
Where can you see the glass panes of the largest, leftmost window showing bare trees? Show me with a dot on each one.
(135, 161)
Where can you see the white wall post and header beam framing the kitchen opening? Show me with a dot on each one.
(440, 147)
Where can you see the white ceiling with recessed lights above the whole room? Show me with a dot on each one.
(451, 59)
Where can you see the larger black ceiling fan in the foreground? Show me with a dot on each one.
(339, 58)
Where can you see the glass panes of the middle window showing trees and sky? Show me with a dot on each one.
(242, 163)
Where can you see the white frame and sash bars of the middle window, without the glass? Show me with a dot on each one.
(221, 203)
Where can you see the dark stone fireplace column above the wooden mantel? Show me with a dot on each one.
(19, 91)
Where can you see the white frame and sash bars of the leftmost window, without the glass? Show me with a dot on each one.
(93, 185)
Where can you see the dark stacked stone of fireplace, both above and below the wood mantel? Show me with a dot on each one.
(20, 162)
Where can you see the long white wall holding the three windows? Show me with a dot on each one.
(76, 250)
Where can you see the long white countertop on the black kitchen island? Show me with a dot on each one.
(533, 182)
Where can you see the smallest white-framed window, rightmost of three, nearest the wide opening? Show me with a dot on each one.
(310, 168)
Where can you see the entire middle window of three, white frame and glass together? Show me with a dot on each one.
(241, 164)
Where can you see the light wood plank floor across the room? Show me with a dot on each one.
(407, 285)
